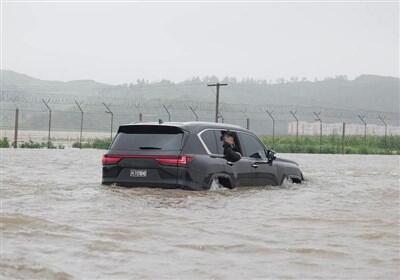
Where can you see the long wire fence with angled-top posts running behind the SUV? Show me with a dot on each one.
(67, 121)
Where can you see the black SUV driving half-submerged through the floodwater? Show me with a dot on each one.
(189, 155)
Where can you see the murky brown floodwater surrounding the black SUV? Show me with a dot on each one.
(58, 222)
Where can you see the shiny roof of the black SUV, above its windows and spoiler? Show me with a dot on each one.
(193, 126)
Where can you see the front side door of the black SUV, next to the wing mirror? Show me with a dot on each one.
(263, 172)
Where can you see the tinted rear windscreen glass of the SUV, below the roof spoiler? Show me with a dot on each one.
(148, 141)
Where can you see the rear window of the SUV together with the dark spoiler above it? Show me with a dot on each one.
(136, 138)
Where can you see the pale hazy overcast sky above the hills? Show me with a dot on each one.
(121, 42)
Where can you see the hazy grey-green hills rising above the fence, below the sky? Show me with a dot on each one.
(367, 92)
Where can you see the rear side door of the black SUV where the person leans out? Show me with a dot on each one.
(241, 171)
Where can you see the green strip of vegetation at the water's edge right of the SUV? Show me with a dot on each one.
(333, 144)
